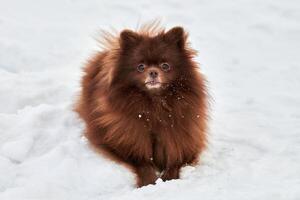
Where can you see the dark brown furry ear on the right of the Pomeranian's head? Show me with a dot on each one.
(176, 36)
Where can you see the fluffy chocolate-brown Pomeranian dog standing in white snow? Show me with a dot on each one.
(144, 102)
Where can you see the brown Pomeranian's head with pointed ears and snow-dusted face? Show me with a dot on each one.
(152, 63)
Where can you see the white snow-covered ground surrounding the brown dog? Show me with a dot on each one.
(249, 52)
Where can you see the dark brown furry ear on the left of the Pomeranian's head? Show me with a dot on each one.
(129, 39)
